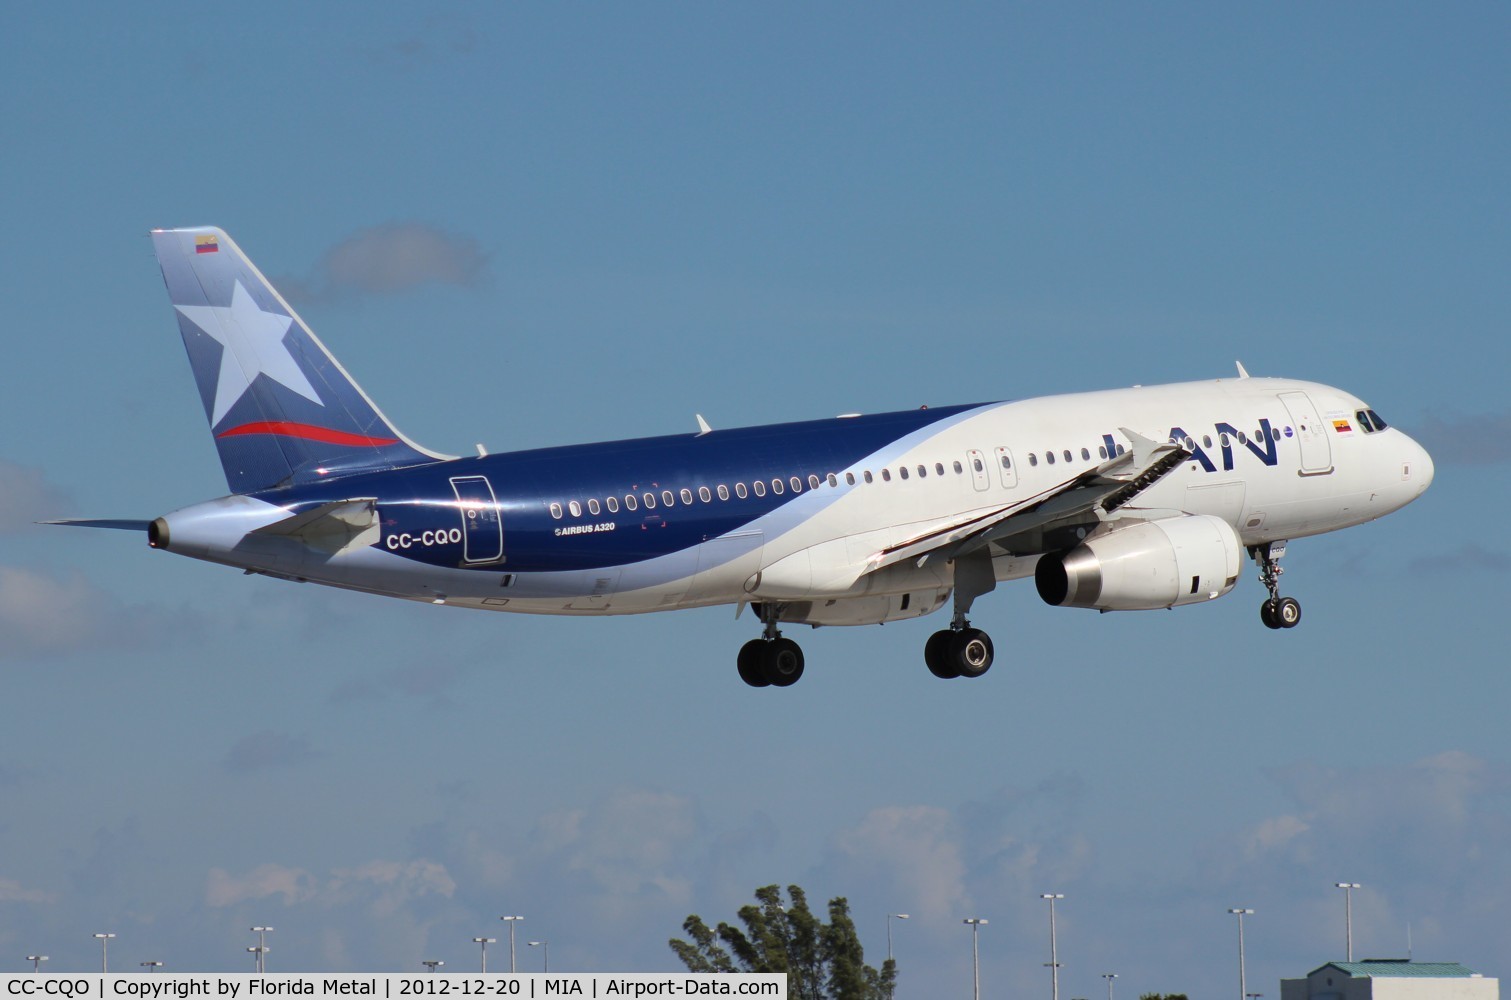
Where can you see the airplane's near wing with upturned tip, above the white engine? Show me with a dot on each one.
(1086, 499)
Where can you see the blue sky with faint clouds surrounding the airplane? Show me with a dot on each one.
(533, 226)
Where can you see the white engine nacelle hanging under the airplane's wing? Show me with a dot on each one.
(1146, 567)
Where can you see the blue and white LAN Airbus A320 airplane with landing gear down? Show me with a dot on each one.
(1132, 499)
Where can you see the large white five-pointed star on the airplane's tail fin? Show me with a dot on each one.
(253, 342)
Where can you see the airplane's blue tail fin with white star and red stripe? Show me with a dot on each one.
(280, 407)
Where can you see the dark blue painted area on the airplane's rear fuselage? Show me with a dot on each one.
(419, 511)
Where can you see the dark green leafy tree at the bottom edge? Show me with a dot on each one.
(823, 961)
